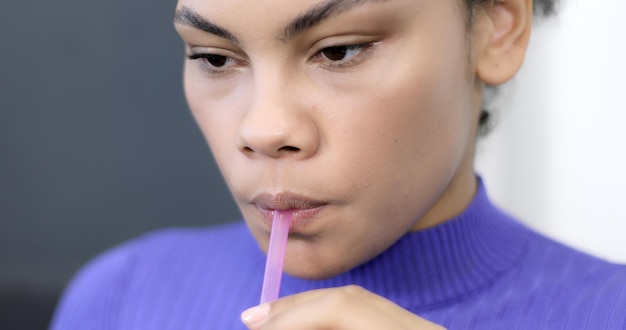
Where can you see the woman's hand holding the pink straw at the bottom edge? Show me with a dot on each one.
(344, 308)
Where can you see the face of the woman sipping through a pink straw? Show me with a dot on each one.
(359, 115)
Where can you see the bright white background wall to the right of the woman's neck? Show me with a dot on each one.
(557, 156)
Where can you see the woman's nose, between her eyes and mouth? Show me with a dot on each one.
(277, 125)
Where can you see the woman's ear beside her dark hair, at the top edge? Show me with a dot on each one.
(504, 35)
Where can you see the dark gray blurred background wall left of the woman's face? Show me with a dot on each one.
(96, 142)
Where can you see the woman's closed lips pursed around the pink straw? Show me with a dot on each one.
(303, 209)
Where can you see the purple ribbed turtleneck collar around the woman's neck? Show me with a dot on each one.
(440, 264)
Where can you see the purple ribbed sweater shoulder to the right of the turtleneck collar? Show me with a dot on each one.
(552, 286)
